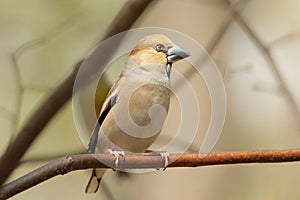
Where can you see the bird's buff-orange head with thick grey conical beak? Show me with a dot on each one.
(157, 53)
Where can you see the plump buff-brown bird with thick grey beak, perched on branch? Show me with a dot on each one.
(129, 120)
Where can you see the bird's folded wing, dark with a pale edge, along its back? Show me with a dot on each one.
(106, 107)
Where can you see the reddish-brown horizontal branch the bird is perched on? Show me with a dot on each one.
(67, 164)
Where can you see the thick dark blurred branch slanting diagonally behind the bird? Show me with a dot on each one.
(40, 118)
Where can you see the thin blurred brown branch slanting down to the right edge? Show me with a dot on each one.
(269, 58)
